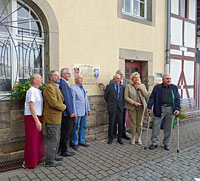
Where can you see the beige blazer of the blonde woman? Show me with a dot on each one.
(131, 96)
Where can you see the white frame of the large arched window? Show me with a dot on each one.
(17, 38)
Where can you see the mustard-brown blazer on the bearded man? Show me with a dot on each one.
(53, 104)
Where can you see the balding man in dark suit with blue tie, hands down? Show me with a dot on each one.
(114, 96)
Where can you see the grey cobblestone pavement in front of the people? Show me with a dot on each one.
(105, 162)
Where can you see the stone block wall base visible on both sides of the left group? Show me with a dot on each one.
(12, 126)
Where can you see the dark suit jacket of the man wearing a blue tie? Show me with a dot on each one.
(110, 96)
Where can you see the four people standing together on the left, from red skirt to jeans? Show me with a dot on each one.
(58, 107)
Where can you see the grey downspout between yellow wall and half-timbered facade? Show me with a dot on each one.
(168, 38)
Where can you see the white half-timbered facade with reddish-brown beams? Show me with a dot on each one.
(182, 49)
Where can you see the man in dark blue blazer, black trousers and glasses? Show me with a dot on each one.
(68, 113)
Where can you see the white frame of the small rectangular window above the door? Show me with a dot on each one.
(132, 9)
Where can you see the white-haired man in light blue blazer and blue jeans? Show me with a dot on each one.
(81, 110)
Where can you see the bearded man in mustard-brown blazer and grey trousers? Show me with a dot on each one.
(52, 115)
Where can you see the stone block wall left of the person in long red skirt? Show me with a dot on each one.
(11, 130)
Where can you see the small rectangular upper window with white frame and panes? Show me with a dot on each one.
(135, 8)
